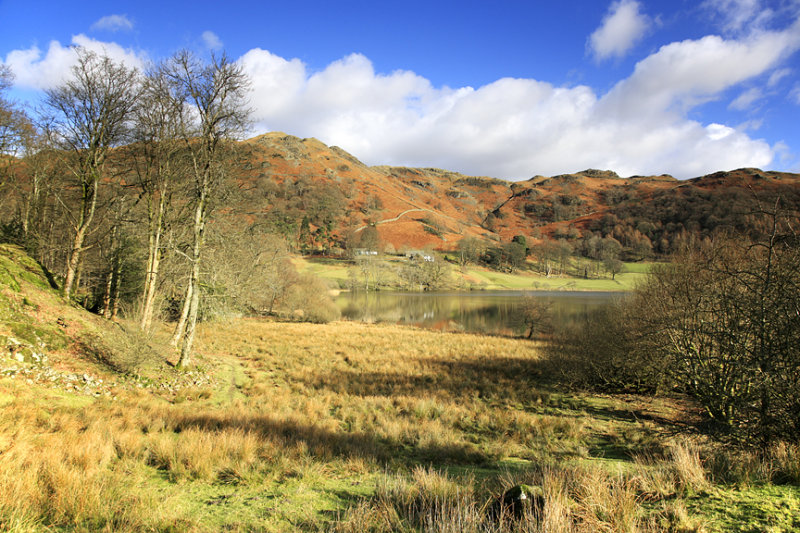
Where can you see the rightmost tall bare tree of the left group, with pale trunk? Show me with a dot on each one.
(214, 95)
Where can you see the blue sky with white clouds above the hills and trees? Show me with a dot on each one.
(508, 89)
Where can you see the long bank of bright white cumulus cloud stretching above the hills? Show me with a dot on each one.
(516, 128)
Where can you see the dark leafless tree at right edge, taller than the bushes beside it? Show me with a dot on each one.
(725, 315)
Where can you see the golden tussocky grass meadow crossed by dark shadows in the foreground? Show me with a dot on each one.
(302, 425)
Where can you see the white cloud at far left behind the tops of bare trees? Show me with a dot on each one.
(37, 70)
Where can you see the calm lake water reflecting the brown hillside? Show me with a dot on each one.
(491, 312)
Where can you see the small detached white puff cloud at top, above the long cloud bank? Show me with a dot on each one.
(622, 27)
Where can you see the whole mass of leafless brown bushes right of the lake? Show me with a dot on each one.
(720, 321)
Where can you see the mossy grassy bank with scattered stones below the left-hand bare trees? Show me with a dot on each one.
(48, 342)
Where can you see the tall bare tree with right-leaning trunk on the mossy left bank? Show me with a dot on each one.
(89, 114)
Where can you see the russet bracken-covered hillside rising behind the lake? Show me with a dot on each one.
(288, 179)
